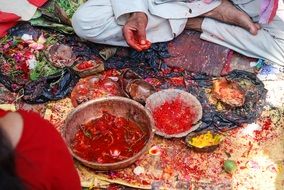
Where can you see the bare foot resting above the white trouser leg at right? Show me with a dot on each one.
(227, 13)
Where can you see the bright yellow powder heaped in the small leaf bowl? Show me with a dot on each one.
(205, 140)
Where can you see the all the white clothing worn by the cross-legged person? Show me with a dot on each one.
(101, 21)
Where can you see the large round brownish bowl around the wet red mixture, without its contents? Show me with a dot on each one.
(118, 106)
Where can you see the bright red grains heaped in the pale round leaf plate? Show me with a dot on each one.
(173, 117)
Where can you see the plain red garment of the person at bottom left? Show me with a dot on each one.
(42, 159)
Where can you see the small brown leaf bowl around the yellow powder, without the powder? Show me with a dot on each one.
(203, 149)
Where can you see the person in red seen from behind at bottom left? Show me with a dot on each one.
(33, 155)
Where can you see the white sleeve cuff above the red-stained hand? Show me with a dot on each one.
(123, 8)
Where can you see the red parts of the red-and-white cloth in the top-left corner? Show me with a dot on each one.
(8, 20)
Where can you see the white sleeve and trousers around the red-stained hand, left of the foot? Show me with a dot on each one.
(101, 21)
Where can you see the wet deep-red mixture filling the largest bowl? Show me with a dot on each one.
(108, 139)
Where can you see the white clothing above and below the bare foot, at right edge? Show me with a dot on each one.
(268, 44)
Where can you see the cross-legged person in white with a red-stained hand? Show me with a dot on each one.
(231, 24)
